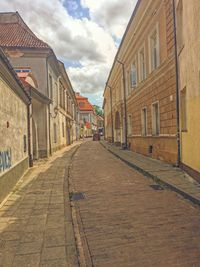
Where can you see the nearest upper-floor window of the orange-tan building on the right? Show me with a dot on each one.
(154, 50)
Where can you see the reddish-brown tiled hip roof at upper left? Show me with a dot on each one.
(17, 34)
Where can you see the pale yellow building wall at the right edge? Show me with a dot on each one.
(188, 50)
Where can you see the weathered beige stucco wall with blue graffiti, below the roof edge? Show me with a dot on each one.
(13, 130)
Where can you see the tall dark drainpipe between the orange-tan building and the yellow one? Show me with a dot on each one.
(177, 87)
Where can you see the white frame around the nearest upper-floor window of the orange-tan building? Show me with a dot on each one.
(151, 57)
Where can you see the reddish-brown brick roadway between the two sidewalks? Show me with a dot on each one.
(124, 222)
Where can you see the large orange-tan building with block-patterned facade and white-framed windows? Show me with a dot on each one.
(140, 95)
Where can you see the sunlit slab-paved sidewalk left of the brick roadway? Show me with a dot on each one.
(35, 221)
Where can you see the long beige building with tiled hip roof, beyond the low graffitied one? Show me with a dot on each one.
(29, 54)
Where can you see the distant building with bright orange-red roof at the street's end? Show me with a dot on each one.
(88, 121)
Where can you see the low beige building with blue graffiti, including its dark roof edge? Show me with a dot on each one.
(14, 128)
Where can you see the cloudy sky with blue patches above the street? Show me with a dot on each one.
(84, 34)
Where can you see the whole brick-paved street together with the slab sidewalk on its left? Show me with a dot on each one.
(118, 219)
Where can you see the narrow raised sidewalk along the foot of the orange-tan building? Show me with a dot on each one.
(161, 172)
